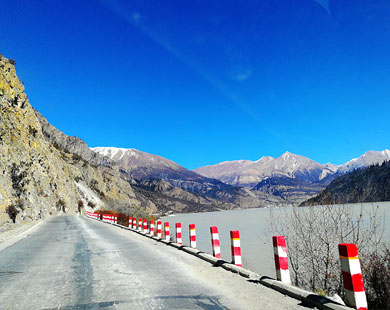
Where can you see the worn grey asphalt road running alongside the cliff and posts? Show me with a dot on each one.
(78, 263)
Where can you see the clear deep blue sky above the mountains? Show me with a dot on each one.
(201, 82)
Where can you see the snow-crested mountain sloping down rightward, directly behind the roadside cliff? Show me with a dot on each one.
(172, 181)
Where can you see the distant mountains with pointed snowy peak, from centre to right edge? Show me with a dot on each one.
(292, 178)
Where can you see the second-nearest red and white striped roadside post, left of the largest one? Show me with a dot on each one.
(281, 259)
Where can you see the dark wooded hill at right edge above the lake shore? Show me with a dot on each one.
(363, 185)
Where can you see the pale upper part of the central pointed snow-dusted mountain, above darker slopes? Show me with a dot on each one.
(249, 173)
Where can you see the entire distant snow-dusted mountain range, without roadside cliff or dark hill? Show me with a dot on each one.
(288, 179)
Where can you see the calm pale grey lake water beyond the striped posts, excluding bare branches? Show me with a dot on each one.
(255, 232)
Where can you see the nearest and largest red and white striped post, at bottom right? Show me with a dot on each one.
(355, 295)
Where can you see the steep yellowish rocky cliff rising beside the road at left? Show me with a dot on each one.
(44, 172)
